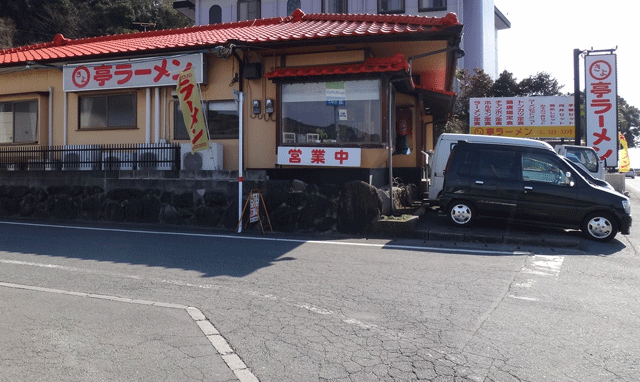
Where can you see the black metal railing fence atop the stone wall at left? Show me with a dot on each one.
(145, 156)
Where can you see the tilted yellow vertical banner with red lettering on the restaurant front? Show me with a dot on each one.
(191, 106)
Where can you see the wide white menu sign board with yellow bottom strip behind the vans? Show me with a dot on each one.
(524, 117)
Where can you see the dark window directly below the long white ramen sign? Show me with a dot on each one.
(113, 111)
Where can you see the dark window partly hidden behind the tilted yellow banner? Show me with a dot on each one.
(222, 120)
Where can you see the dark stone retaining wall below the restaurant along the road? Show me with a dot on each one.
(291, 205)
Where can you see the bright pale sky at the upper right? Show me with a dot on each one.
(544, 33)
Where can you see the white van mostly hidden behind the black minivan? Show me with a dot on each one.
(438, 160)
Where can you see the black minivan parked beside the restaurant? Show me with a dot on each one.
(532, 185)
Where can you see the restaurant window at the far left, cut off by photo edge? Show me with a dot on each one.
(18, 121)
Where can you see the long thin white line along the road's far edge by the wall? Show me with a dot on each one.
(239, 237)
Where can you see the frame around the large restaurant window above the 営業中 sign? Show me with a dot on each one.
(384, 83)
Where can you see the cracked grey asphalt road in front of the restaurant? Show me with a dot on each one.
(98, 302)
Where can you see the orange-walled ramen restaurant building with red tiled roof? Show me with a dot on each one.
(317, 97)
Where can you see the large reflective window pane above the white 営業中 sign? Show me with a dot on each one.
(341, 112)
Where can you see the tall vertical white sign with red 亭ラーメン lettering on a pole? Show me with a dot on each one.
(602, 106)
